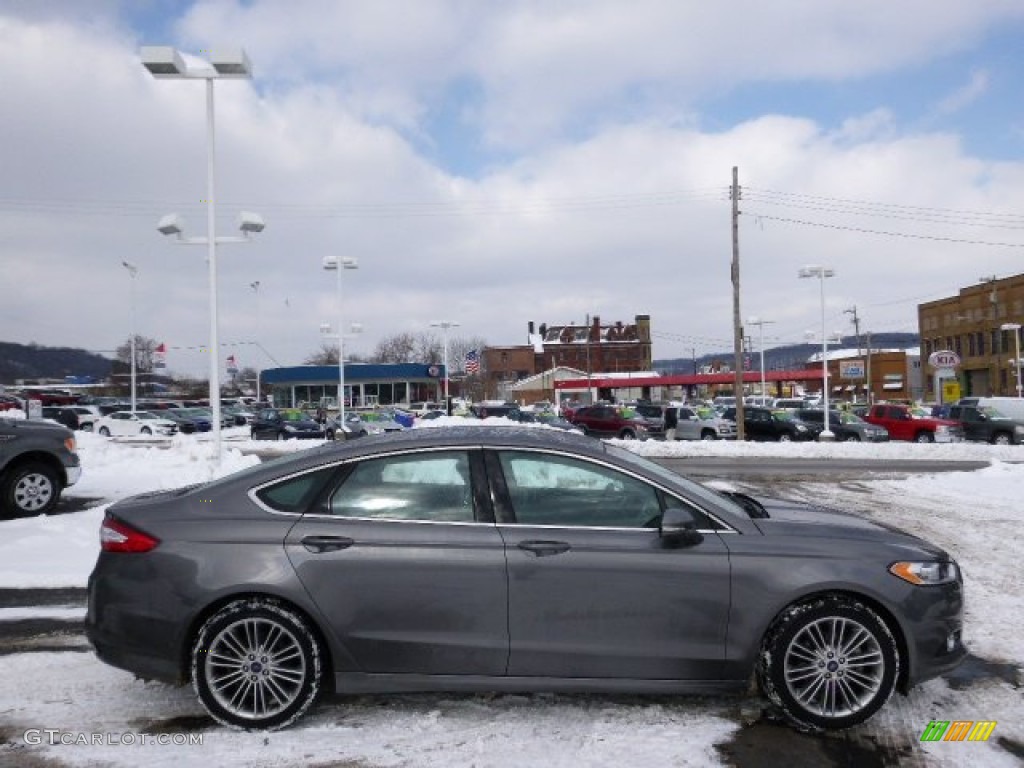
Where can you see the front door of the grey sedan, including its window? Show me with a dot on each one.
(593, 590)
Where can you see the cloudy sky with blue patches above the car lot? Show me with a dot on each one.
(493, 164)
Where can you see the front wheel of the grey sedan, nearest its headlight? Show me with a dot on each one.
(808, 669)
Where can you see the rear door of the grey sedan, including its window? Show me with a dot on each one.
(403, 559)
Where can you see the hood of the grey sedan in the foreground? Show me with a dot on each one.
(796, 520)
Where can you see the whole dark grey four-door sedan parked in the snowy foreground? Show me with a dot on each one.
(550, 563)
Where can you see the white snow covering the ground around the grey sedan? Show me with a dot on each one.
(974, 515)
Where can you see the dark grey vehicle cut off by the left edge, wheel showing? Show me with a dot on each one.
(37, 463)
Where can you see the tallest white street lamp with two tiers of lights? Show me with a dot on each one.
(163, 62)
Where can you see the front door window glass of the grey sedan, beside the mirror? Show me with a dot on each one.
(548, 490)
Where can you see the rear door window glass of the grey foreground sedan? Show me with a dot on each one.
(434, 487)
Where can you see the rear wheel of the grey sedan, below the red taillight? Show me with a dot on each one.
(257, 665)
